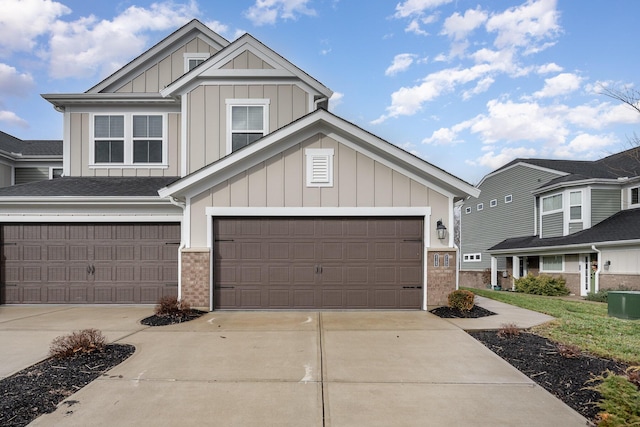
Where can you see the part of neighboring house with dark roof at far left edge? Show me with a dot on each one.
(22, 162)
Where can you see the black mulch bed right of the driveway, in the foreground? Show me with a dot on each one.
(539, 359)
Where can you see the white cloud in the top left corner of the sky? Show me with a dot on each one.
(23, 21)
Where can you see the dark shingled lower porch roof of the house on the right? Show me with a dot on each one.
(623, 226)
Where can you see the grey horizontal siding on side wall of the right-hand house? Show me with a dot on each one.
(483, 229)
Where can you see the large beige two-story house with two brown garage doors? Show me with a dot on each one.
(212, 170)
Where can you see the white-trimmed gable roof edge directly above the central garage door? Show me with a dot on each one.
(319, 121)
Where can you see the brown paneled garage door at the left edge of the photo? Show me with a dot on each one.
(88, 263)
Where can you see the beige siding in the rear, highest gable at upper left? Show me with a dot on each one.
(167, 70)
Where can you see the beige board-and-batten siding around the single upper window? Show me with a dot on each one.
(207, 126)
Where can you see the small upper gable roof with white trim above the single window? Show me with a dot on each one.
(213, 68)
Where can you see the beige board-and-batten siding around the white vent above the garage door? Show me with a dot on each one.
(358, 181)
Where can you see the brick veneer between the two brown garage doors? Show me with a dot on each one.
(195, 278)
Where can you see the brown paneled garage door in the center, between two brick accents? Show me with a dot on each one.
(311, 263)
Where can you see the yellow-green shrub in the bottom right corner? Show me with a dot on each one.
(620, 403)
